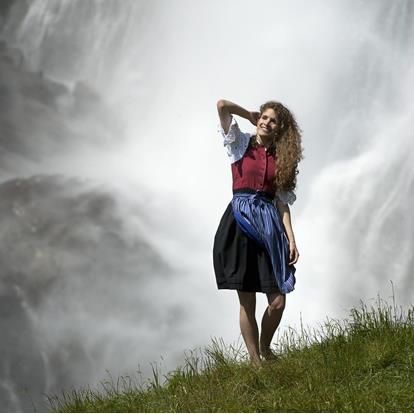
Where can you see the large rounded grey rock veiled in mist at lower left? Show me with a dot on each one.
(69, 272)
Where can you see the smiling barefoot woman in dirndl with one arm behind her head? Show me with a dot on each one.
(254, 247)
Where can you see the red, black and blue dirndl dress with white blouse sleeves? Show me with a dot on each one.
(251, 248)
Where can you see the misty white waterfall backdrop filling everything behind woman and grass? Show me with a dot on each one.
(113, 178)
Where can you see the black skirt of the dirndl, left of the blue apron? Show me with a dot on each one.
(239, 262)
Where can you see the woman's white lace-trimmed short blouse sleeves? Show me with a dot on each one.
(236, 143)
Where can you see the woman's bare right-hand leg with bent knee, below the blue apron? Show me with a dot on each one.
(270, 321)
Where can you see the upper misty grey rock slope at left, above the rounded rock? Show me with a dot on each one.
(41, 118)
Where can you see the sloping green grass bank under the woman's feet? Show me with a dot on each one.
(362, 364)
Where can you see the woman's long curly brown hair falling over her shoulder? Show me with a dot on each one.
(286, 147)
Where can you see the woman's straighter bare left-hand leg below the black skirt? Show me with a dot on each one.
(248, 325)
